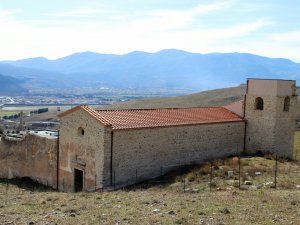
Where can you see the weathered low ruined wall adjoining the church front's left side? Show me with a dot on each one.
(33, 157)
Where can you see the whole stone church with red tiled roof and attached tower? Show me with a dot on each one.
(106, 148)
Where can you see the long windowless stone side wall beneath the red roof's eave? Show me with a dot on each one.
(146, 153)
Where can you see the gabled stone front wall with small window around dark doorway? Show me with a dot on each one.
(82, 151)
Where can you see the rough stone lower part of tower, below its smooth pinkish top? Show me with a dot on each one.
(270, 129)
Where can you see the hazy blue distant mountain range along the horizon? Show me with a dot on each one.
(165, 69)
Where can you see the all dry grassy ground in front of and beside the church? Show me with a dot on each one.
(168, 204)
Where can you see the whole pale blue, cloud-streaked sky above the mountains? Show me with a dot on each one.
(56, 28)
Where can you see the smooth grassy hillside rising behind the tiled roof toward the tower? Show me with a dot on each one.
(207, 98)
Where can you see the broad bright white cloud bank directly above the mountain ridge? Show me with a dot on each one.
(151, 31)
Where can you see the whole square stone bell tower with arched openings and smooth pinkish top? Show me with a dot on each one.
(270, 111)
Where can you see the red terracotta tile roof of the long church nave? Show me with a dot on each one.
(149, 118)
